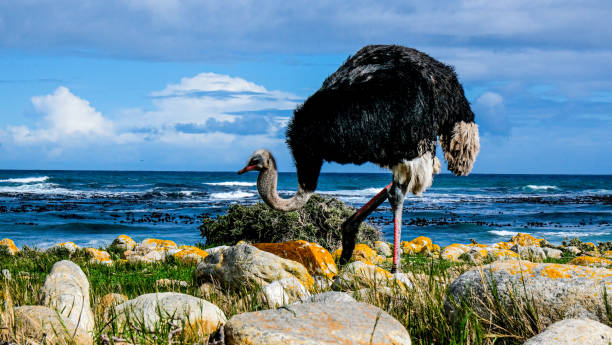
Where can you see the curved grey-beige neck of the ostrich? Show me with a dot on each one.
(266, 185)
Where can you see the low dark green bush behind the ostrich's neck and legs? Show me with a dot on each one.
(318, 221)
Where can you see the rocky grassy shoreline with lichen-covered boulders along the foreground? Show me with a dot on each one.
(294, 293)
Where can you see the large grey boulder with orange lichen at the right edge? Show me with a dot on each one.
(556, 291)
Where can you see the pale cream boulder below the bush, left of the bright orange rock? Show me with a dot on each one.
(245, 264)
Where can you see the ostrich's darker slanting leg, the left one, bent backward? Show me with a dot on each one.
(350, 227)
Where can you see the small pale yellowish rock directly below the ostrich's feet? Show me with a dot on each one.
(357, 275)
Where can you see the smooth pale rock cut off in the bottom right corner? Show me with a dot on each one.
(574, 332)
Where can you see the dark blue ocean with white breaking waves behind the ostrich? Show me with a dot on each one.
(91, 208)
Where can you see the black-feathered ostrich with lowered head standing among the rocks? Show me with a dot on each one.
(387, 105)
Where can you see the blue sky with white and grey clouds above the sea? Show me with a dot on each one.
(199, 85)
